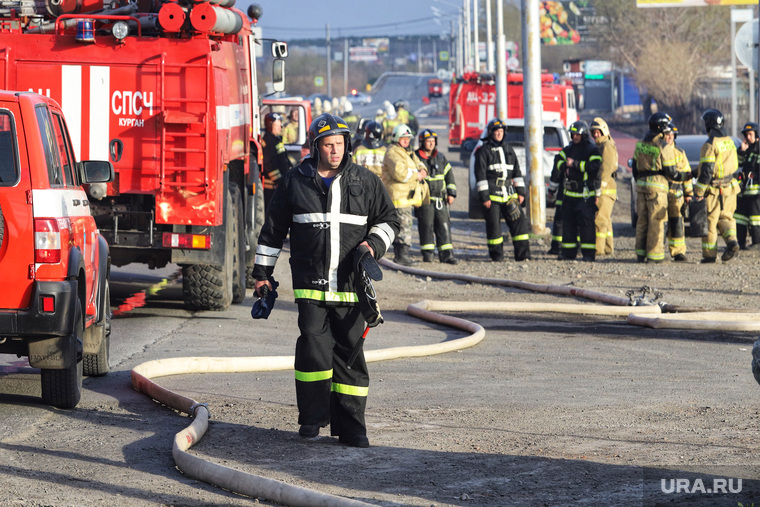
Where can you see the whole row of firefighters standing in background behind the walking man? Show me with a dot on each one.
(724, 201)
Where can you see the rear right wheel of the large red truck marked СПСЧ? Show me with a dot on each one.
(207, 287)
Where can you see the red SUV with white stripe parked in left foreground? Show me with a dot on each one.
(55, 302)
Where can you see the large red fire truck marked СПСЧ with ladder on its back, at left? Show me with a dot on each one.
(168, 93)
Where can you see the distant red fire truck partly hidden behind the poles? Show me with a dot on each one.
(472, 104)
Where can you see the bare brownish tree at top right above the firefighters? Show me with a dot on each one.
(669, 49)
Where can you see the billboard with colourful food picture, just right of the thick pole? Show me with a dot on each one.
(565, 22)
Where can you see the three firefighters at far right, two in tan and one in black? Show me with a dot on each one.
(724, 200)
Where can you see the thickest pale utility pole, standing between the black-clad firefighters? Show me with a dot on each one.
(532, 106)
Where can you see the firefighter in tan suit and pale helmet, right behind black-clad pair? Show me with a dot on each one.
(606, 201)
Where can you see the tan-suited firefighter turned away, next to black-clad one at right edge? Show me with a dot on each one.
(717, 185)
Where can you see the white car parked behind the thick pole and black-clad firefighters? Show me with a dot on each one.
(555, 138)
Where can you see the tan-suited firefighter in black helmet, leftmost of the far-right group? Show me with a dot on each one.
(654, 164)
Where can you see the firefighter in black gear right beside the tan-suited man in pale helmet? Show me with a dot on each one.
(433, 219)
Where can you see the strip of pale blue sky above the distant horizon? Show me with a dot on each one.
(296, 19)
